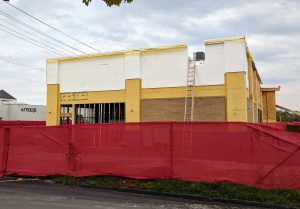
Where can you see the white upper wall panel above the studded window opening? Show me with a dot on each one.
(92, 75)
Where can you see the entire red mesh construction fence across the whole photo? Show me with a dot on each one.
(261, 155)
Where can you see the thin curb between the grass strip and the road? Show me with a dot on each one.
(187, 197)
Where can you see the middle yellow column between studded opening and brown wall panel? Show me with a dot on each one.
(133, 100)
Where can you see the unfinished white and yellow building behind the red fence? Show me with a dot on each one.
(151, 85)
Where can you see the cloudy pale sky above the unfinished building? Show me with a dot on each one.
(271, 28)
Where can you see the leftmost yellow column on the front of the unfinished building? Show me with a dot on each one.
(53, 107)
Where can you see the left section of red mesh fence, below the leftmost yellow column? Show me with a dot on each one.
(38, 151)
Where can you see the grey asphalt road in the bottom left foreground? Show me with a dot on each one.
(35, 195)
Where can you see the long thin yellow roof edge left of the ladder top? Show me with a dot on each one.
(118, 53)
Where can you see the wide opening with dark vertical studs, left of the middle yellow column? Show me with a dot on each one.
(100, 113)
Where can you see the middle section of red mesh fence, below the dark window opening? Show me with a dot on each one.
(131, 150)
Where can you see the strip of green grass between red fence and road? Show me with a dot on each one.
(209, 190)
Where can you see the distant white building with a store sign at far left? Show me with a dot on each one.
(11, 110)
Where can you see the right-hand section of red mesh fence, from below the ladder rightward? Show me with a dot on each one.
(236, 152)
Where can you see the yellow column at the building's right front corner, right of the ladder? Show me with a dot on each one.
(236, 96)
